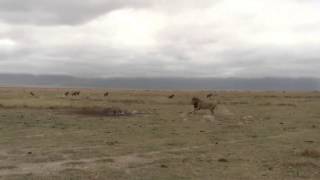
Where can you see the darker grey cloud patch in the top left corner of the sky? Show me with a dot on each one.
(53, 12)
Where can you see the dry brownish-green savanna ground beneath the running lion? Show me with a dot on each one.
(254, 135)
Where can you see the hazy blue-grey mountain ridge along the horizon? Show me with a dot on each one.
(300, 84)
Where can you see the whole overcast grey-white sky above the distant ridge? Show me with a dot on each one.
(161, 38)
